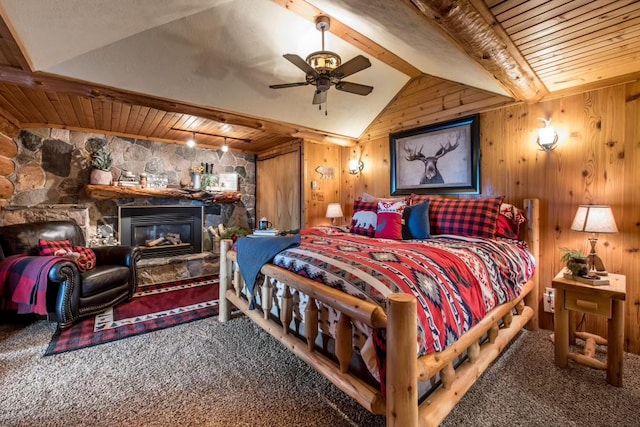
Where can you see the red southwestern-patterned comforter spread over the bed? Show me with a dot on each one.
(456, 280)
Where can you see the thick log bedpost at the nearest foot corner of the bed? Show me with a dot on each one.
(402, 369)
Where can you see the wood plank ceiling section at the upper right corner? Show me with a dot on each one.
(572, 43)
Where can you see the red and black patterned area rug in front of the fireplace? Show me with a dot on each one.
(153, 307)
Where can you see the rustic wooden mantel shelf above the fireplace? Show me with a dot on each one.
(107, 192)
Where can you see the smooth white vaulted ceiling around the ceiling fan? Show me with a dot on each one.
(225, 53)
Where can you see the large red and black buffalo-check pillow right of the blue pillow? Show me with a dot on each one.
(465, 217)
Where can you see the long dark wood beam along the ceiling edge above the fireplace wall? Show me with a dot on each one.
(47, 82)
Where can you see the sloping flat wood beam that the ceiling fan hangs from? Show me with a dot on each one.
(351, 36)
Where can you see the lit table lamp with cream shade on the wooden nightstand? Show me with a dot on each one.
(594, 219)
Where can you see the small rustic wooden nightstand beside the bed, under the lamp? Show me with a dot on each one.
(603, 300)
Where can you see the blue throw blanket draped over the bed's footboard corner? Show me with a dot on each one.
(254, 252)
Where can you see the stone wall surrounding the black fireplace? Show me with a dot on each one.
(52, 170)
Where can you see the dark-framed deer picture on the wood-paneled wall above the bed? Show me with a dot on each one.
(438, 159)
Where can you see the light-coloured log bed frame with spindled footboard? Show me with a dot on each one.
(401, 407)
